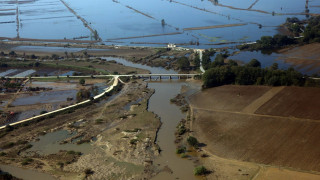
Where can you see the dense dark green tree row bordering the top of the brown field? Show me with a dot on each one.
(253, 74)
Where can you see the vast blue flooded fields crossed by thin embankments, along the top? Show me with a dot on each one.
(139, 22)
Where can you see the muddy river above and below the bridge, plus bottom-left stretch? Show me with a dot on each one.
(170, 115)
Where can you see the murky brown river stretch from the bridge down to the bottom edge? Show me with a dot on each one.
(170, 115)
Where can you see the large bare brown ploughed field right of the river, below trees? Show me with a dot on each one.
(278, 131)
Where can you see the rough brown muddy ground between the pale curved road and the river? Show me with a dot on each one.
(122, 140)
